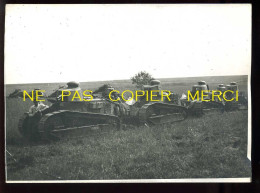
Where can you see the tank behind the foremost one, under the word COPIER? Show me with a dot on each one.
(144, 111)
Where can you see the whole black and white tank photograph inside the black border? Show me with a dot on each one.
(128, 93)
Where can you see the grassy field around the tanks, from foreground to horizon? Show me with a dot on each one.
(209, 147)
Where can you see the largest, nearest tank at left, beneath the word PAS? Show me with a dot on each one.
(68, 116)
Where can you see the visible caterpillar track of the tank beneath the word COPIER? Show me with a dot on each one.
(160, 113)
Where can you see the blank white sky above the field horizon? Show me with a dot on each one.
(60, 43)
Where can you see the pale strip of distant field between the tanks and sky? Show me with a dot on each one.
(178, 85)
